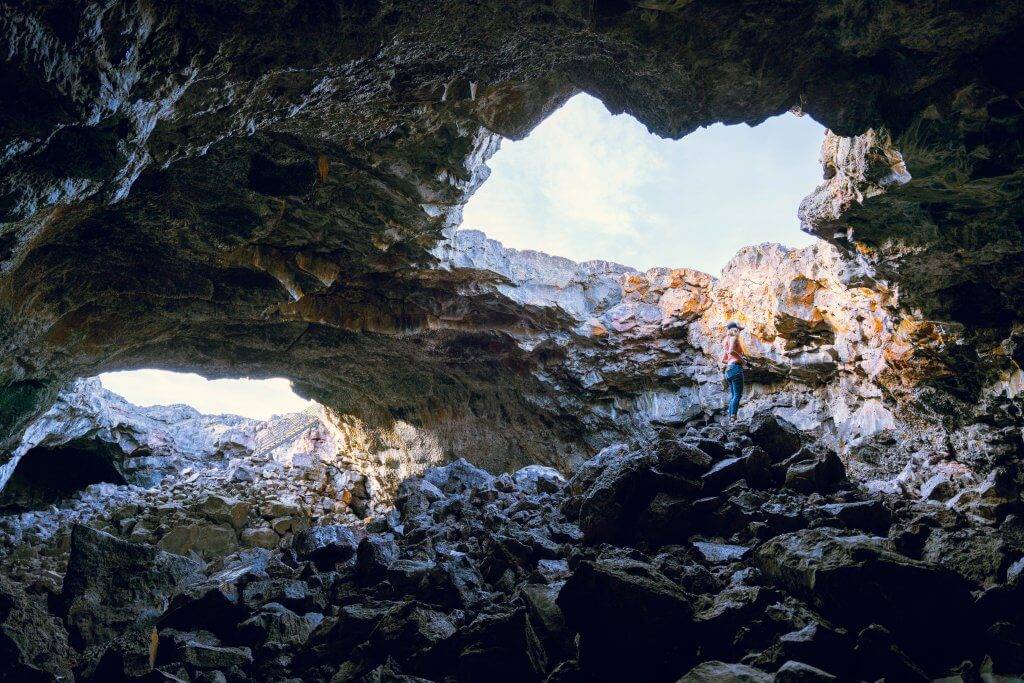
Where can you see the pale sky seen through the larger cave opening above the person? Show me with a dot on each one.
(587, 185)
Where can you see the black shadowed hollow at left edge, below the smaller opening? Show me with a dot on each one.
(47, 476)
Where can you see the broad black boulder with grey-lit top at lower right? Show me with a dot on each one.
(857, 579)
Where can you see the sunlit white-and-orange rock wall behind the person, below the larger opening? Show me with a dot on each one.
(836, 357)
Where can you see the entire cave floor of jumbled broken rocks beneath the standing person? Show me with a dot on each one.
(713, 554)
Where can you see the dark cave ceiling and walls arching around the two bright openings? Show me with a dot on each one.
(261, 188)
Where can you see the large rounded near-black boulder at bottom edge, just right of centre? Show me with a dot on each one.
(643, 603)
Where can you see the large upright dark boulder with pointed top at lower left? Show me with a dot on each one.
(111, 585)
